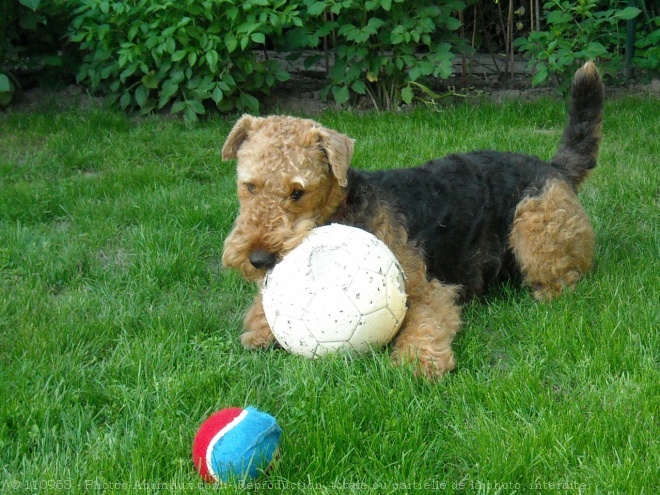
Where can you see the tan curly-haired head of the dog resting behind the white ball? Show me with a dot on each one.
(291, 177)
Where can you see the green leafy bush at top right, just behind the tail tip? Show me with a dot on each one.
(576, 32)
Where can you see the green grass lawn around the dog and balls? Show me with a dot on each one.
(119, 328)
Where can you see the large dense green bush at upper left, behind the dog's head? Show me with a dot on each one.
(185, 53)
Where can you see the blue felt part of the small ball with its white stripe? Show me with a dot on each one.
(246, 447)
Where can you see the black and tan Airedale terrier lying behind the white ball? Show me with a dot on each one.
(457, 224)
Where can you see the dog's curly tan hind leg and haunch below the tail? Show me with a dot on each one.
(552, 240)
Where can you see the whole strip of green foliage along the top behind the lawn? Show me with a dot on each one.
(190, 56)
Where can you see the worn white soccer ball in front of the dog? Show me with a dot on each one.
(340, 289)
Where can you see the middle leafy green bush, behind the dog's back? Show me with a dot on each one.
(381, 48)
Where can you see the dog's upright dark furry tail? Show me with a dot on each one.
(578, 149)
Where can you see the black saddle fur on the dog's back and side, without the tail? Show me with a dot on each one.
(461, 206)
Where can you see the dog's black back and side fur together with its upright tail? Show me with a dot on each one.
(459, 209)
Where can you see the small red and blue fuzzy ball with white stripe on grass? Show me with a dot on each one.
(236, 444)
